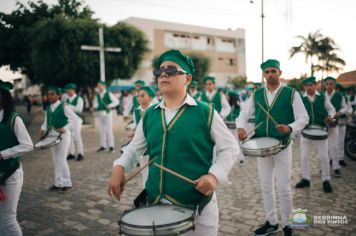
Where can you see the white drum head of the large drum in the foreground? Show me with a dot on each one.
(159, 215)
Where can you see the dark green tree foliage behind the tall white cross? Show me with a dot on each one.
(45, 44)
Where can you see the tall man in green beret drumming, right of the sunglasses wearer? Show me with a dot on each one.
(286, 107)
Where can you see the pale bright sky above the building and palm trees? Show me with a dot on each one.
(284, 19)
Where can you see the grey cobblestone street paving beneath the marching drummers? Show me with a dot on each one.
(88, 210)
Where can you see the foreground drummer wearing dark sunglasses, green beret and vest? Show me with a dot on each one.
(180, 121)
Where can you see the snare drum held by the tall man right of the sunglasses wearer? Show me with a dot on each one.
(261, 147)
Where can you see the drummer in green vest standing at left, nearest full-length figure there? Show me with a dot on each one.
(59, 117)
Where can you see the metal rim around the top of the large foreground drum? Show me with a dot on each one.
(189, 219)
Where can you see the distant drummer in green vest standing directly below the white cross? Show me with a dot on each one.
(104, 102)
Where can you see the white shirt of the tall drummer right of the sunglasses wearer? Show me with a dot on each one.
(301, 118)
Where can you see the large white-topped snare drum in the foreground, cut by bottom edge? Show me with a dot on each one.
(157, 220)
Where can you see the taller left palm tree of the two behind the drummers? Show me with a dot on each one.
(309, 46)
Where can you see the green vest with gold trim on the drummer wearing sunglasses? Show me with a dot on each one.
(180, 149)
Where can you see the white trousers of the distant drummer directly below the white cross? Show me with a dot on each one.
(106, 131)
